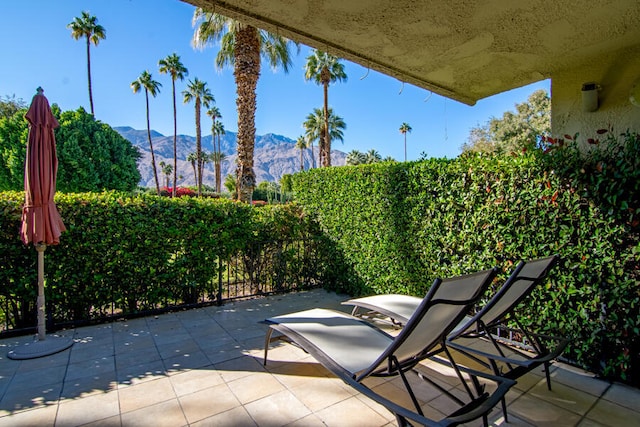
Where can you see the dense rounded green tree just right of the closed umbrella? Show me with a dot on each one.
(92, 156)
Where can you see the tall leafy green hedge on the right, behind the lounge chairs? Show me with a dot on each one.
(400, 225)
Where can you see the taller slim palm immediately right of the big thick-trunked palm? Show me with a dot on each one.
(324, 68)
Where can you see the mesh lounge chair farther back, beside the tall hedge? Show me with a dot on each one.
(473, 334)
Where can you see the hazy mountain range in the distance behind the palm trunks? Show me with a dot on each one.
(274, 156)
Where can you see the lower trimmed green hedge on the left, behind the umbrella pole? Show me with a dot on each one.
(124, 254)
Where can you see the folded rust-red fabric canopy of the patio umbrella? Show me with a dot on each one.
(41, 222)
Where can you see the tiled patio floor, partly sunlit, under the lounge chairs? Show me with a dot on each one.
(204, 367)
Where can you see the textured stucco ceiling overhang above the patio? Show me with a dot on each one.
(462, 49)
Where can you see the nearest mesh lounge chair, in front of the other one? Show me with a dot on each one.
(354, 349)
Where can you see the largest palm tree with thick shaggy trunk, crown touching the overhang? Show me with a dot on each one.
(242, 46)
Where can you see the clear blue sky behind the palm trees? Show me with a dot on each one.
(38, 50)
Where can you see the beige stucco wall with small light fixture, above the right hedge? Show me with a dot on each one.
(615, 73)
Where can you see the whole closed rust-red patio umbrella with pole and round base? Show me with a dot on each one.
(41, 222)
